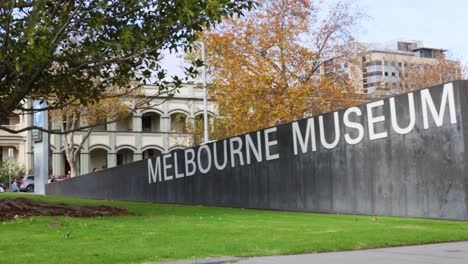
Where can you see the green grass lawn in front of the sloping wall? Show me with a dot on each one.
(161, 232)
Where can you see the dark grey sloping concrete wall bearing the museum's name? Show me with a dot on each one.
(418, 174)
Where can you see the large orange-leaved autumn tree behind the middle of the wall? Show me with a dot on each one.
(269, 67)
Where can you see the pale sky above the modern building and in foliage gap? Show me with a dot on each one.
(437, 23)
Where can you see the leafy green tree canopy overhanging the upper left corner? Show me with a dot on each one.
(77, 49)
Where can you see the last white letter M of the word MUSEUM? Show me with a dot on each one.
(447, 96)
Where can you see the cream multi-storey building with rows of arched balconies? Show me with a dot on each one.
(148, 132)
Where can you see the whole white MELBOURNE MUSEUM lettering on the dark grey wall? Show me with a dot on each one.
(305, 139)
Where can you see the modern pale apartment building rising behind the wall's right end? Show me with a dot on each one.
(385, 68)
